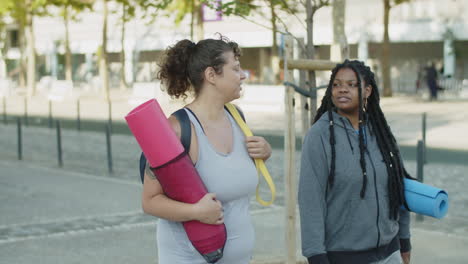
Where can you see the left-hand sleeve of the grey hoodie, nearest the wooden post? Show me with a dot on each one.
(311, 197)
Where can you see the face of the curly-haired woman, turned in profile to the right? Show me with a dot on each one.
(230, 80)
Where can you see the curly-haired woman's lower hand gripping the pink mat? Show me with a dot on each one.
(208, 210)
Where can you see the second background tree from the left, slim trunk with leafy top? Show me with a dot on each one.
(70, 11)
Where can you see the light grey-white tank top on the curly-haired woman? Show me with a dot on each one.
(233, 177)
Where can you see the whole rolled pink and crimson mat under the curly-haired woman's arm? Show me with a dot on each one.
(176, 173)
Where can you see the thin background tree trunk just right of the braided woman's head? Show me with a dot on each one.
(387, 89)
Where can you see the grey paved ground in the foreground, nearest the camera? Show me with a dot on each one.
(57, 216)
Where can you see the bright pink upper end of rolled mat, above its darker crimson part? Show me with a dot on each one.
(154, 134)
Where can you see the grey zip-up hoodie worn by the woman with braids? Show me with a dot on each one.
(339, 222)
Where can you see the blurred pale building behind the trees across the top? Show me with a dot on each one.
(420, 31)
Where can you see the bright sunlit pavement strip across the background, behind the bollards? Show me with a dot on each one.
(264, 110)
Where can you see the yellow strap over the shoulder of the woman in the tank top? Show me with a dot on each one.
(261, 168)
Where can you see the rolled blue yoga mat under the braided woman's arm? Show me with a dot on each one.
(425, 199)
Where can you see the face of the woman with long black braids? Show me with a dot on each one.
(345, 93)
